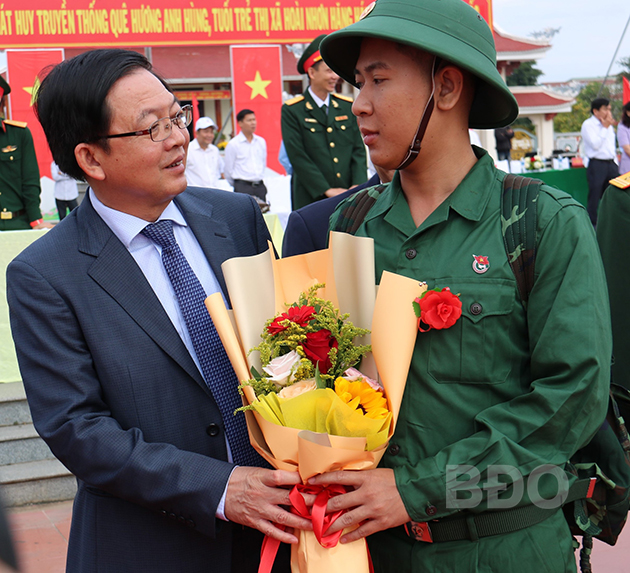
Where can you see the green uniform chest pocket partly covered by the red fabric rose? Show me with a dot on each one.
(479, 347)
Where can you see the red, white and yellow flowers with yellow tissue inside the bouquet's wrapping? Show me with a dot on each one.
(309, 381)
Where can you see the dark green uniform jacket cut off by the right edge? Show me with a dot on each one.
(613, 235)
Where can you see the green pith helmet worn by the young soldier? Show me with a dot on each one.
(450, 29)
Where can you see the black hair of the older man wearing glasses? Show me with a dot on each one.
(71, 102)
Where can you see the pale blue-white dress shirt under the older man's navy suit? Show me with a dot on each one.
(148, 256)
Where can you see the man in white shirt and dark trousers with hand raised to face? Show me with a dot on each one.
(600, 150)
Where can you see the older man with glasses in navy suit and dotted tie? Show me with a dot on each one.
(125, 376)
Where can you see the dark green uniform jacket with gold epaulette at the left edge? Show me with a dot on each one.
(19, 177)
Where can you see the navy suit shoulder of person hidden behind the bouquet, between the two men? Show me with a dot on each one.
(307, 228)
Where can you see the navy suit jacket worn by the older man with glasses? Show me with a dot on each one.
(118, 398)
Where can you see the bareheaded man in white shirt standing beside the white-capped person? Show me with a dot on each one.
(246, 158)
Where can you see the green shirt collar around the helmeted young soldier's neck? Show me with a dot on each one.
(469, 199)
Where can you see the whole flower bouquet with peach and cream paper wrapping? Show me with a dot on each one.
(307, 408)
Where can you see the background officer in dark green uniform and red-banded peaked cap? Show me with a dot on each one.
(320, 135)
